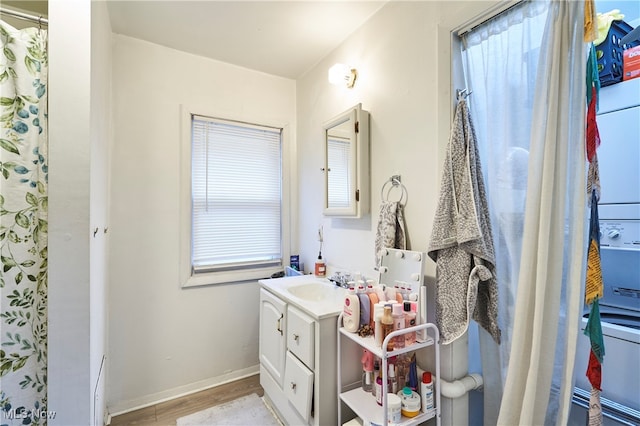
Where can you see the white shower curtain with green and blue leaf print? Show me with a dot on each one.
(23, 225)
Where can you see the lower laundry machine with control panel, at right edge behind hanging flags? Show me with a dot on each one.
(620, 316)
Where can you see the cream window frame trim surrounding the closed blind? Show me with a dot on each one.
(187, 277)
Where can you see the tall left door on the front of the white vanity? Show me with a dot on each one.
(272, 334)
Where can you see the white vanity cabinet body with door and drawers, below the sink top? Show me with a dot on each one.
(298, 360)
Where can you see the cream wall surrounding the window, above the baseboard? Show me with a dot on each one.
(165, 340)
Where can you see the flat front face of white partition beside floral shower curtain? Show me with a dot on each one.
(69, 393)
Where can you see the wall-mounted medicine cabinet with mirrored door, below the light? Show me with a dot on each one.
(346, 166)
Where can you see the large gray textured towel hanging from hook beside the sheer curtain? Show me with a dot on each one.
(461, 240)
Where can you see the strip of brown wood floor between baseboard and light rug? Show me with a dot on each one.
(167, 413)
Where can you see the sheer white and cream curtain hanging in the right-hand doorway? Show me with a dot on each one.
(526, 69)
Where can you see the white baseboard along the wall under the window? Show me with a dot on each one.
(124, 407)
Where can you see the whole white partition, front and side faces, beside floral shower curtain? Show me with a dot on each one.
(79, 137)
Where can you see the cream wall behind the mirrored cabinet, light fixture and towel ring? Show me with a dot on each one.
(403, 57)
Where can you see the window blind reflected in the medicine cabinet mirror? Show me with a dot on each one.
(339, 152)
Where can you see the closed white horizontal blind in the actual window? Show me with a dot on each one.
(236, 195)
